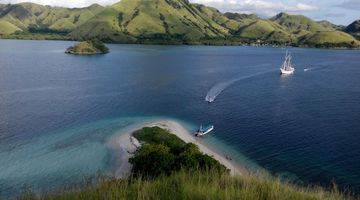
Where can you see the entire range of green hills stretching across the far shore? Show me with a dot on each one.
(167, 22)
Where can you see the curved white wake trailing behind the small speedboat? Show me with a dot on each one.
(220, 87)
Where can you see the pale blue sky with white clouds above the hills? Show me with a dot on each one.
(337, 11)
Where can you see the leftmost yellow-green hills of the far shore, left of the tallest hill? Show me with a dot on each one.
(34, 17)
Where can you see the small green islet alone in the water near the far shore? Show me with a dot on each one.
(88, 47)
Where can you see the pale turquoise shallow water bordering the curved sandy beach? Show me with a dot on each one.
(71, 156)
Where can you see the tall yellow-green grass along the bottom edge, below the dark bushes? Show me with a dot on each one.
(197, 184)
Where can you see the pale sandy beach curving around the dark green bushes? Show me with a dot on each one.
(126, 145)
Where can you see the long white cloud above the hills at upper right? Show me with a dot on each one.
(263, 7)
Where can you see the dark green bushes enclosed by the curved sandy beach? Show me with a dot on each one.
(165, 153)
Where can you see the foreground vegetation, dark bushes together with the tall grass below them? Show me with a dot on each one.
(167, 168)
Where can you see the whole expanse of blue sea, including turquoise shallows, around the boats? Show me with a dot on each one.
(57, 110)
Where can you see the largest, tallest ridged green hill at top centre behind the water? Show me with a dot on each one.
(155, 19)
